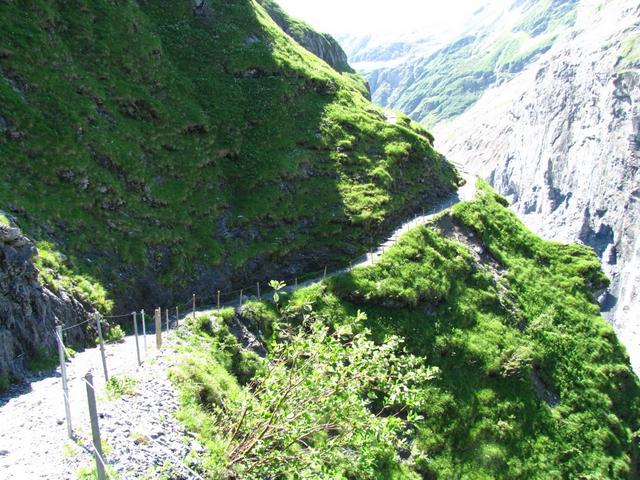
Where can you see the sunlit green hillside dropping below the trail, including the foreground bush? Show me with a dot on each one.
(496, 364)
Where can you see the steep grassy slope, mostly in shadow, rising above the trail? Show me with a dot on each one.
(170, 146)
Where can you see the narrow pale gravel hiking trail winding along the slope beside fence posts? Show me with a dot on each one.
(142, 437)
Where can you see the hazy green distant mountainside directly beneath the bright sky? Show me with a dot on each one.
(438, 75)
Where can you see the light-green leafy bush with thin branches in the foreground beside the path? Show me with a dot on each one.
(312, 405)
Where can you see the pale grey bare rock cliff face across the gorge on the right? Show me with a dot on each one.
(562, 141)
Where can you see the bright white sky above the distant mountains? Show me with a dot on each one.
(380, 16)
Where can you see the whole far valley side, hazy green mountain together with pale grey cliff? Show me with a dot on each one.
(551, 126)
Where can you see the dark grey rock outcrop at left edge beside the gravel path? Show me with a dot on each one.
(29, 311)
